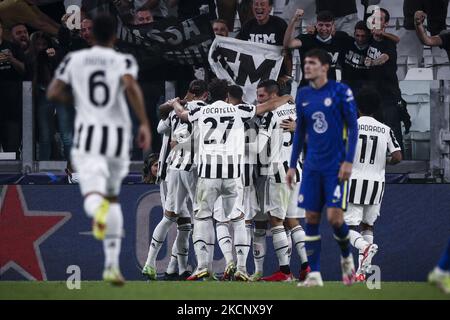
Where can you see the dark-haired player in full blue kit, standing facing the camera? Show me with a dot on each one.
(327, 122)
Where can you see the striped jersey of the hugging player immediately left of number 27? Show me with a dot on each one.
(185, 134)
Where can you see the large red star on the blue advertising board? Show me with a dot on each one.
(21, 233)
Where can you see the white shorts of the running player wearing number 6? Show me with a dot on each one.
(100, 174)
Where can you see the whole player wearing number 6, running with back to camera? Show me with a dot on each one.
(99, 76)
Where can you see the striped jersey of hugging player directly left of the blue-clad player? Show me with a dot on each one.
(276, 154)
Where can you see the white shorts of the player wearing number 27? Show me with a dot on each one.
(209, 190)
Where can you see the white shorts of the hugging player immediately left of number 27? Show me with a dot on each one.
(181, 187)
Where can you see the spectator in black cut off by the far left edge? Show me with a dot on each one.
(11, 72)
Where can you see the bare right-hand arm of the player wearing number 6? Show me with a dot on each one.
(136, 98)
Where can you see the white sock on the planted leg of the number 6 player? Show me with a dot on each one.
(113, 239)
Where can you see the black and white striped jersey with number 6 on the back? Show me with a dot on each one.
(102, 122)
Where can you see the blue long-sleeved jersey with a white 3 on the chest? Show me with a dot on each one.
(327, 122)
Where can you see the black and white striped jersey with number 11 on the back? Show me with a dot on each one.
(367, 180)
